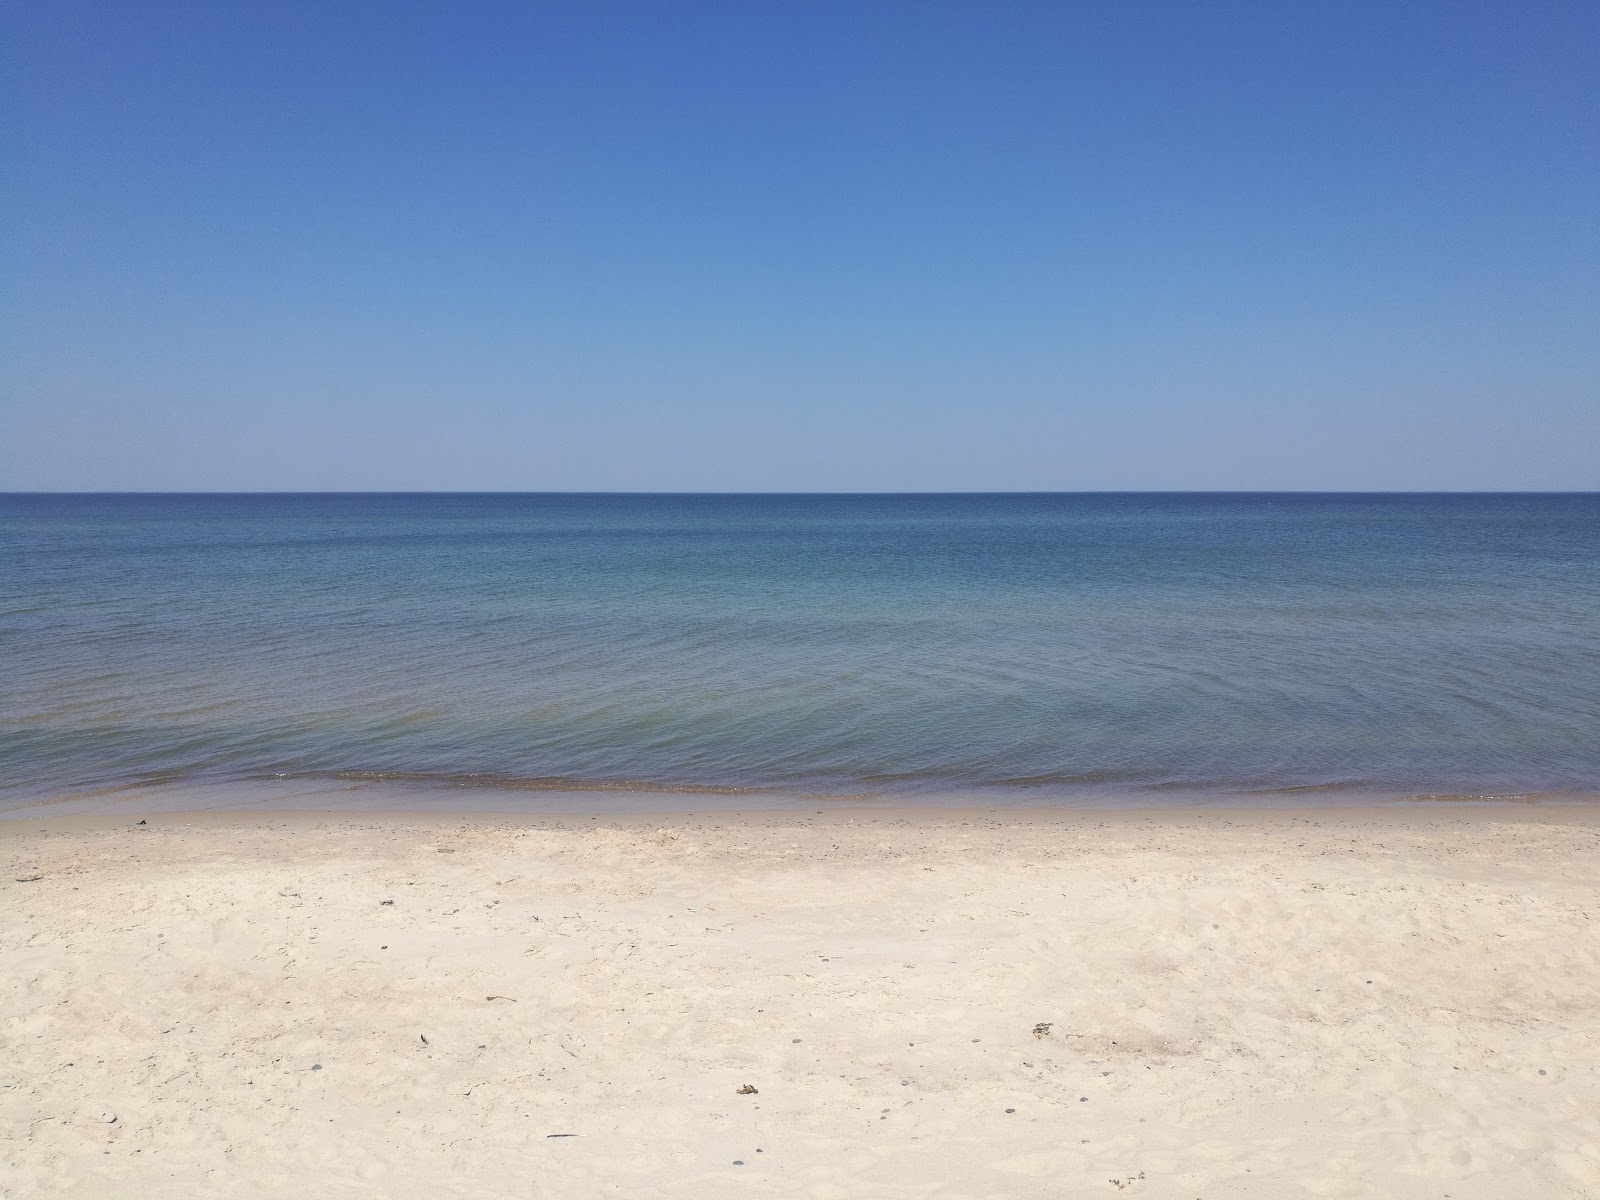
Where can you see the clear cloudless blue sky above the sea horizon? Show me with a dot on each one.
(801, 247)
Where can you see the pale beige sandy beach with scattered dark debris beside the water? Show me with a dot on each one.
(1201, 1006)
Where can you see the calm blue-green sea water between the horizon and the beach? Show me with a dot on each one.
(1046, 649)
